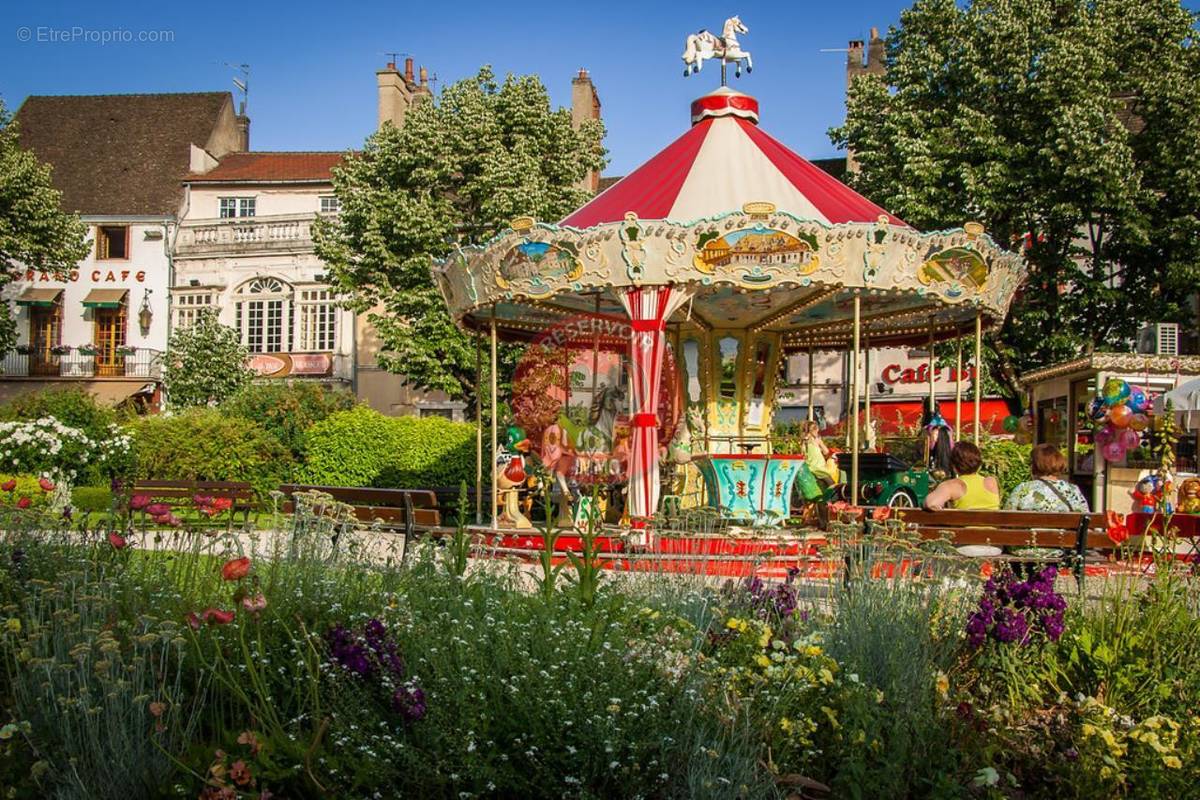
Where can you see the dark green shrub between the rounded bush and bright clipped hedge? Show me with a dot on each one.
(289, 408)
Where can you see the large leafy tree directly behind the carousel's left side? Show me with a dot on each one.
(455, 175)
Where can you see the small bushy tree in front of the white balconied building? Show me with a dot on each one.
(206, 364)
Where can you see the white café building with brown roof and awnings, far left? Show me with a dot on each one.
(117, 160)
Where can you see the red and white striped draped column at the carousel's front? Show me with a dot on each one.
(650, 309)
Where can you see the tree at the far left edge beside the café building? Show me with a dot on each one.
(35, 233)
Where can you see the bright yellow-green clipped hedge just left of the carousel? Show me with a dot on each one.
(364, 448)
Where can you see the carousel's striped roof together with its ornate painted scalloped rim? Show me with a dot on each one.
(755, 237)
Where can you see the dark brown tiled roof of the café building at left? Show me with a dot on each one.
(119, 154)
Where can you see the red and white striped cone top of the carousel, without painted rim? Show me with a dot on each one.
(723, 163)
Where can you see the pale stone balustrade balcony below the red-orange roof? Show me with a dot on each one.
(278, 233)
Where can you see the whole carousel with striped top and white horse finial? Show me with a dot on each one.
(694, 279)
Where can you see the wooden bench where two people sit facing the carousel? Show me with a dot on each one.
(1071, 532)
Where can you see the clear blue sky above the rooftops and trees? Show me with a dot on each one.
(313, 64)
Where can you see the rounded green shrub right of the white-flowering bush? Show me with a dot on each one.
(209, 446)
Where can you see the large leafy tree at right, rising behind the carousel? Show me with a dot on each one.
(1069, 128)
